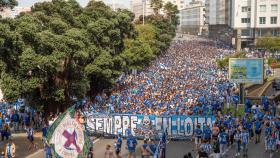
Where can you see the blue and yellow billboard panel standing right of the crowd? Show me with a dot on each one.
(246, 70)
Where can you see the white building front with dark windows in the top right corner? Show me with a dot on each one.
(255, 18)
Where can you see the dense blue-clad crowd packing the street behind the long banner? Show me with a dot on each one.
(183, 81)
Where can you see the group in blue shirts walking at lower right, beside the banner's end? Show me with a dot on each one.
(239, 131)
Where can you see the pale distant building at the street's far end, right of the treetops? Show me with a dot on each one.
(192, 19)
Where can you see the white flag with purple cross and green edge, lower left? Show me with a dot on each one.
(67, 136)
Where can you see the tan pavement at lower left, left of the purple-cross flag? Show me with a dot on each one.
(22, 144)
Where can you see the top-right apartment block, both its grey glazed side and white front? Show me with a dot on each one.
(241, 22)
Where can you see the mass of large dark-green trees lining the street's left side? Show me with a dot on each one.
(60, 51)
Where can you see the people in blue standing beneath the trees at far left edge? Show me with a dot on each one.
(14, 119)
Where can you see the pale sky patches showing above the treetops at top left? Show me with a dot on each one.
(29, 3)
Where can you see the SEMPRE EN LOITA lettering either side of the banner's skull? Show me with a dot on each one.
(181, 126)
